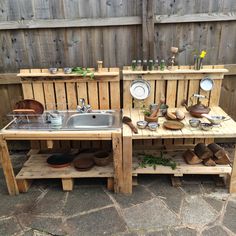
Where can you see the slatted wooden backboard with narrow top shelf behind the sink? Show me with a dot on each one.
(62, 92)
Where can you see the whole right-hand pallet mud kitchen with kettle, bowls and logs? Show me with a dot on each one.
(181, 134)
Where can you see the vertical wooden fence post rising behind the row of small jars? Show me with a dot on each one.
(148, 29)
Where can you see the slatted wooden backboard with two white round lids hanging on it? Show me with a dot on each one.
(175, 86)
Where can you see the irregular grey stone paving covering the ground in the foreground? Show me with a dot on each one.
(155, 208)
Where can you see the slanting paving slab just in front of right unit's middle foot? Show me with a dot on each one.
(172, 196)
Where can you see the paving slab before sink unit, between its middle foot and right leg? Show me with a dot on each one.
(85, 199)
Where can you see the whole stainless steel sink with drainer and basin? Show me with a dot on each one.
(71, 120)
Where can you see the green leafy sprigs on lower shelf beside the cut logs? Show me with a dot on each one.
(154, 161)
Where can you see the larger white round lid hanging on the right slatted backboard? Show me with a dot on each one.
(140, 89)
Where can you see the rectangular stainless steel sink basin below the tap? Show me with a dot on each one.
(94, 120)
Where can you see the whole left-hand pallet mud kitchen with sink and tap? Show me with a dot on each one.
(66, 111)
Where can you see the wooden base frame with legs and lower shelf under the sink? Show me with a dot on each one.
(36, 167)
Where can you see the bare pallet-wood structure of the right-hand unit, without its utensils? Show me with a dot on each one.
(175, 86)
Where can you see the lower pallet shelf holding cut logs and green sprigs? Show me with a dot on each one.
(182, 167)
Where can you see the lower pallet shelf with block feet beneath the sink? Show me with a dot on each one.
(36, 167)
